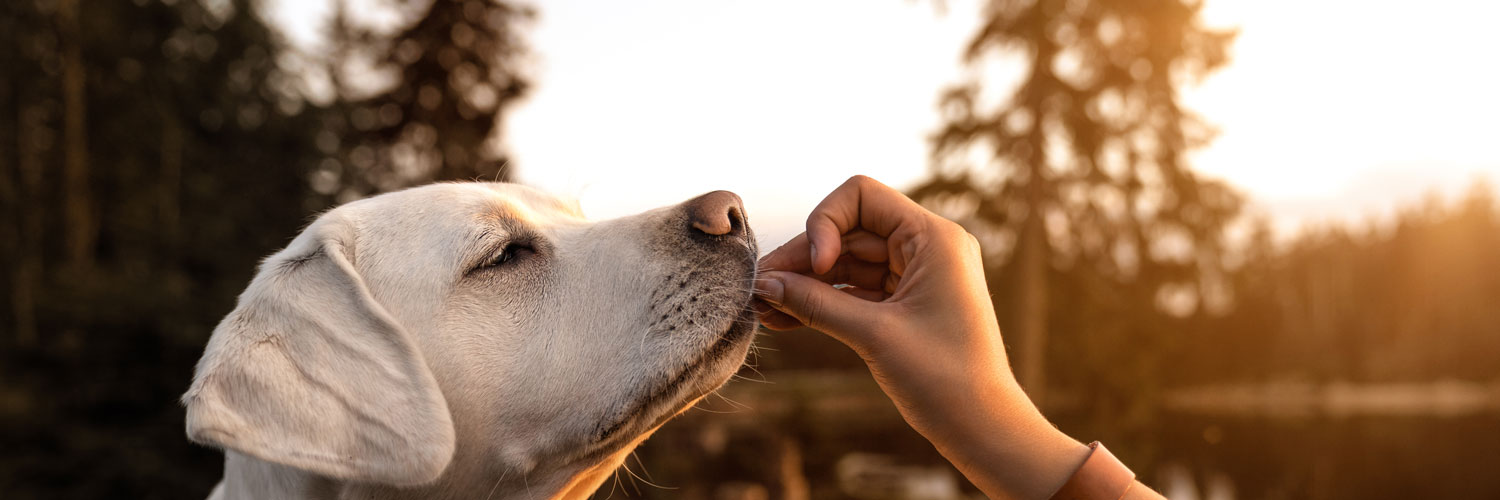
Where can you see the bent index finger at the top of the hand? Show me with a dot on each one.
(859, 203)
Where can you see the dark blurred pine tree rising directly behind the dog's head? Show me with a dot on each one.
(454, 73)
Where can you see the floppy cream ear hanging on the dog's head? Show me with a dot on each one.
(310, 372)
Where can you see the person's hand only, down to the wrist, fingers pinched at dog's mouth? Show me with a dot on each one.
(901, 286)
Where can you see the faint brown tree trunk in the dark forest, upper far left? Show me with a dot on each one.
(79, 230)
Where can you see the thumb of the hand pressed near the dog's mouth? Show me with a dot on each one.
(818, 306)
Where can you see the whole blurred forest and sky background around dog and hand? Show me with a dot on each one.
(1250, 245)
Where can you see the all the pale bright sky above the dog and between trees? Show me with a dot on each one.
(1328, 112)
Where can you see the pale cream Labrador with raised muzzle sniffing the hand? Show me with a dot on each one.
(472, 342)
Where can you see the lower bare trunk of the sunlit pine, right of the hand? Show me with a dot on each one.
(1031, 306)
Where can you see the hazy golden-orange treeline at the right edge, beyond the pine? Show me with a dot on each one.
(1417, 300)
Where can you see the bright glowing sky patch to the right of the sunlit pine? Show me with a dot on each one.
(1325, 98)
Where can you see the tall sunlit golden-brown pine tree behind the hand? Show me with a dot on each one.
(1082, 167)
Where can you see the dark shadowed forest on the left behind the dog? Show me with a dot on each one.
(151, 154)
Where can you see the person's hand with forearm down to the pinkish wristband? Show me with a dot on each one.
(917, 310)
